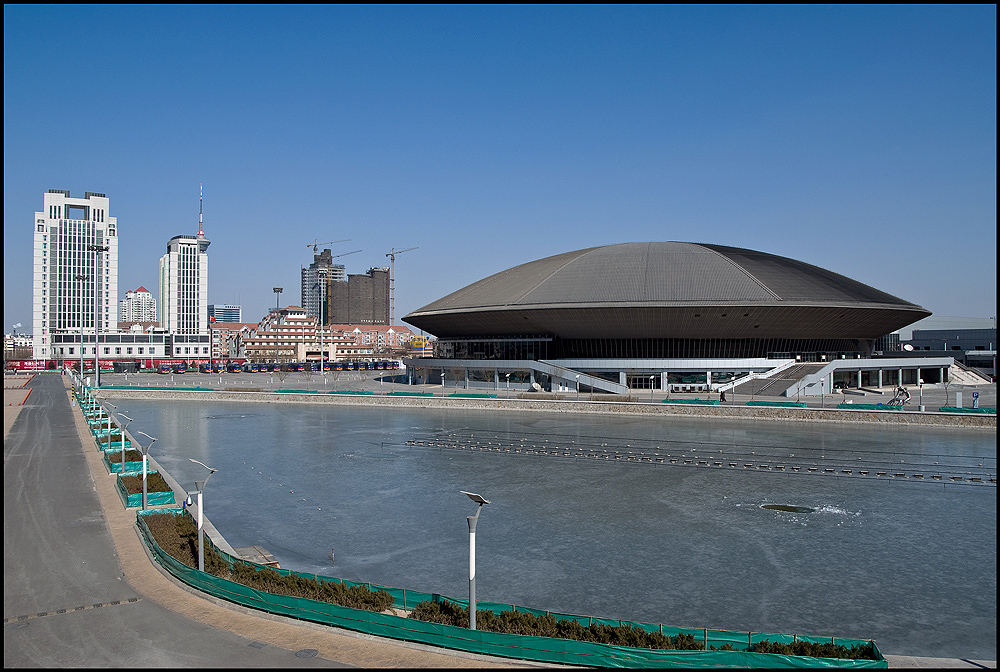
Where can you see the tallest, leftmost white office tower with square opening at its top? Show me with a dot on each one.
(75, 270)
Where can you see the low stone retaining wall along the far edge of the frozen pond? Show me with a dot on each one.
(935, 419)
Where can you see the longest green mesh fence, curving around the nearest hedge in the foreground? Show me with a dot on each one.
(519, 647)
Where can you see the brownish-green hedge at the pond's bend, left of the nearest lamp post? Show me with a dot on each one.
(178, 537)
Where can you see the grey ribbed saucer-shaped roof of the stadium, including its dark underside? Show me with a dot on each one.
(667, 290)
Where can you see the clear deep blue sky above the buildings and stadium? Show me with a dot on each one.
(858, 139)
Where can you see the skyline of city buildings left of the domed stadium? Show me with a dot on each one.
(75, 288)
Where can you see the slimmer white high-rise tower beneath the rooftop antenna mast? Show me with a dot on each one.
(184, 285)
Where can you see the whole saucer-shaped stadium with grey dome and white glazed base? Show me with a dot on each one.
(663, 315)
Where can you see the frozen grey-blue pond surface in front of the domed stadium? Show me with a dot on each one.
(910, 563)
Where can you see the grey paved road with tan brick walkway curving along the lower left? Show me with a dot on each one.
(80, 590)
